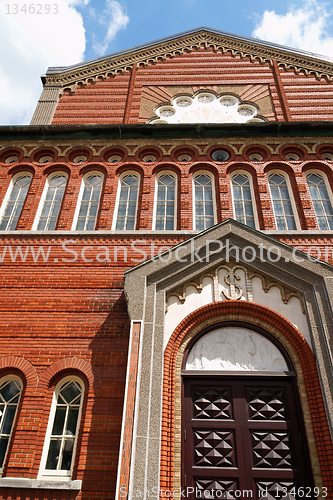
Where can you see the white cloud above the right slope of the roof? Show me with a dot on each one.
(303, 28)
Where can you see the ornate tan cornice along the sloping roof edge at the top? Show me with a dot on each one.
(242, 48)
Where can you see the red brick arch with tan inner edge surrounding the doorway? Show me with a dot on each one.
(317, 428)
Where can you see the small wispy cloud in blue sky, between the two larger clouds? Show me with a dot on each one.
(115, 19)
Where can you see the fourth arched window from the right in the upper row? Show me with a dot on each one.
(203, 202)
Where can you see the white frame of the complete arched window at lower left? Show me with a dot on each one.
(60, 474)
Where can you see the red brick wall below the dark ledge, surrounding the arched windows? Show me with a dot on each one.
(59, 318)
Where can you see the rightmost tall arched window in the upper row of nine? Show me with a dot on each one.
(321, 201)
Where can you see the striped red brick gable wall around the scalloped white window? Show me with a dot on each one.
(107, 101)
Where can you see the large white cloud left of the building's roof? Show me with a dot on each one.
(30, 44)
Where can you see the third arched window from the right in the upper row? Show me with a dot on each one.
(242, 198)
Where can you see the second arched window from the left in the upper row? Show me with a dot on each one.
(47, 215)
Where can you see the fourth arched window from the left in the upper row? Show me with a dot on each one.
(127, 204)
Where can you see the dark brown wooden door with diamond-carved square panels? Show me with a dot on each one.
(242, 436)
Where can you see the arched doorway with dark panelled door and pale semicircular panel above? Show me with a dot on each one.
(242, 426)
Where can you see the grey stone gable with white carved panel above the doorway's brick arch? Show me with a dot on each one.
(204, 270)
